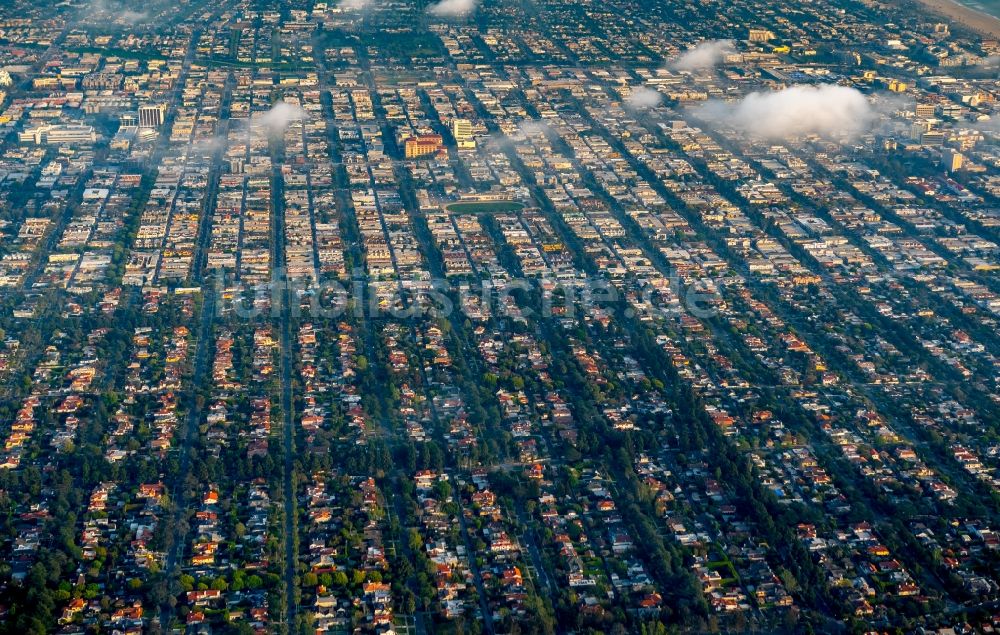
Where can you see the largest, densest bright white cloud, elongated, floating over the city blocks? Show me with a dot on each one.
(828, 110)
